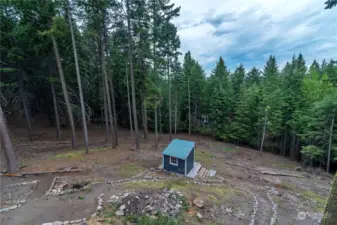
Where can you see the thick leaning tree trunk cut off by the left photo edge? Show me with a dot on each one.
(12, 165)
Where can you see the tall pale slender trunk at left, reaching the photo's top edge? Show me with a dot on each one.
(78, 75)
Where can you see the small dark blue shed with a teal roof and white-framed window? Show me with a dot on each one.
(178, 156)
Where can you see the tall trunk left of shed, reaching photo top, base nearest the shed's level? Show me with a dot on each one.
(133, 91)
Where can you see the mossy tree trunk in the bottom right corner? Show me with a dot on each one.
(330, 212)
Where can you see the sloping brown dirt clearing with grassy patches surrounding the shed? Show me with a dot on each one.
(239, 193)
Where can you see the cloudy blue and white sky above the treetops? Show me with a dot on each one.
(248, 31)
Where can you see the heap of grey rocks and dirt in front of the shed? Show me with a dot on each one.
(167, 202)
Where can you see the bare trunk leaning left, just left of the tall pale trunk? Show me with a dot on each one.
(65, 92)
